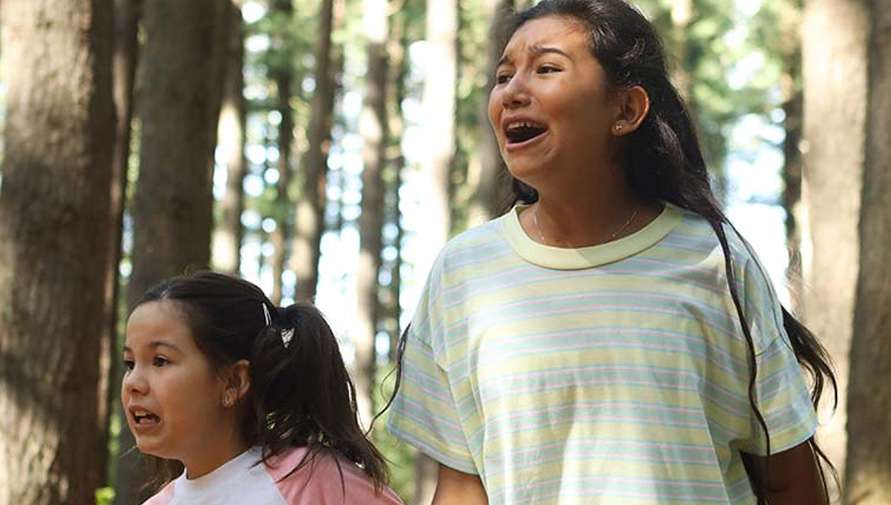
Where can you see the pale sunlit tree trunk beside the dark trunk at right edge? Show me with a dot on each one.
(835, 111)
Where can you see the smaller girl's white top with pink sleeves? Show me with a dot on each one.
(240, 481)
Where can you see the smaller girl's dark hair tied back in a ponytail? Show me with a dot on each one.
(300, 395)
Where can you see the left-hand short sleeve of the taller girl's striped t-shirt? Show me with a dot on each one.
(425, 412)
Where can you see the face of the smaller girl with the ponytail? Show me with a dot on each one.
(172, 397)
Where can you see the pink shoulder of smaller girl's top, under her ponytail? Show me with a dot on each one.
(324, 478)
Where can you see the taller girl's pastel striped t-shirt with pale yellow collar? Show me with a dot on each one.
(612, 374)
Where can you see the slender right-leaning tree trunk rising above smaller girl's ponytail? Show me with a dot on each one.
(310, 212)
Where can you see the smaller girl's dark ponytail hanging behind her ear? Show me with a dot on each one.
(303, 395)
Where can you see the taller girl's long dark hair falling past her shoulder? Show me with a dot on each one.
(662, 160)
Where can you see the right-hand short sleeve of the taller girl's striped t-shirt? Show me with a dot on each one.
(781, 393)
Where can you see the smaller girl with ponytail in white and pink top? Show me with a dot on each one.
(240, 402)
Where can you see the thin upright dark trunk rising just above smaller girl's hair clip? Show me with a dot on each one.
(283, 75)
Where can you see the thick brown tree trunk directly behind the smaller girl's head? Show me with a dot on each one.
(180, 94)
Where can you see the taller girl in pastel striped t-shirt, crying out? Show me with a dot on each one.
(611, 339)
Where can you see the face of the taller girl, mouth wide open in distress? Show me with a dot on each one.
(551, 108)
